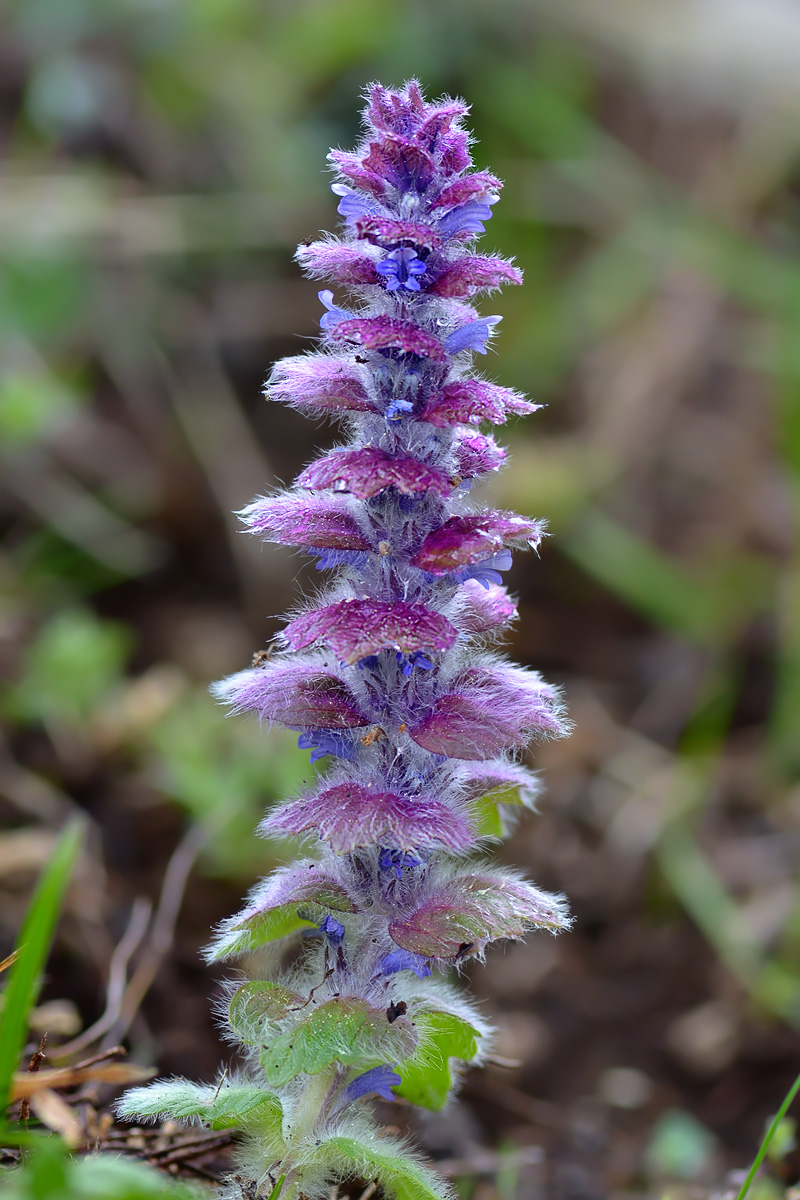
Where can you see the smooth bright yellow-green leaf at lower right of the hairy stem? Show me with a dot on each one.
(428, 1076)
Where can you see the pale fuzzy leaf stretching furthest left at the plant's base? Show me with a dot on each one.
(221, 1106)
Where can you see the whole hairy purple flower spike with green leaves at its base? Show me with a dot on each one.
(388, 680)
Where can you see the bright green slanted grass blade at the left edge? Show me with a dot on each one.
(33, 949)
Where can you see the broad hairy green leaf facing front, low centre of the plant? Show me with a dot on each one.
(350, 1031)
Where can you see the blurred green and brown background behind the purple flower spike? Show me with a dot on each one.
(161, 161)
